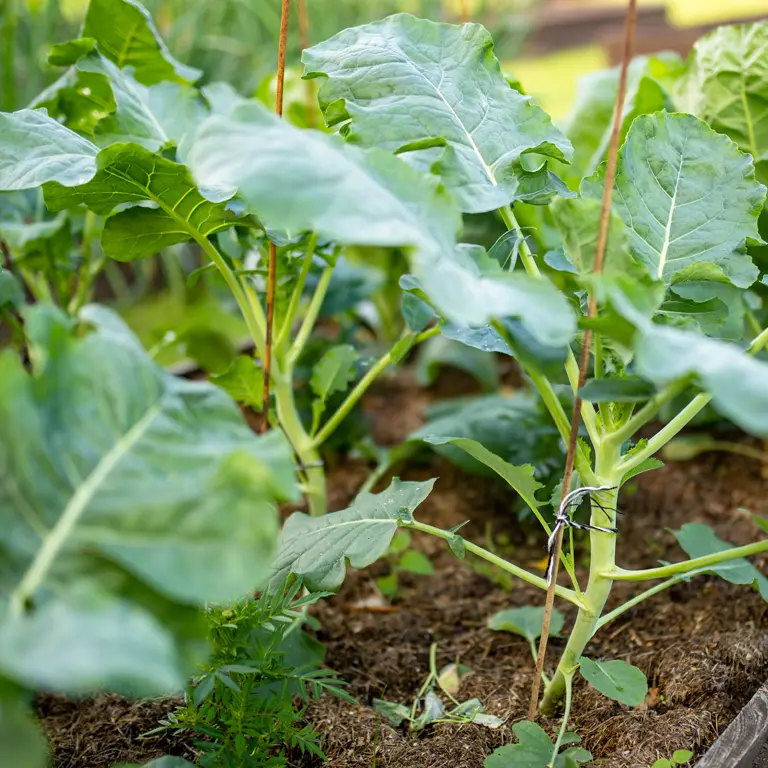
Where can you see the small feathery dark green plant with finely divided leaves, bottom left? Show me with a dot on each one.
(242, 704)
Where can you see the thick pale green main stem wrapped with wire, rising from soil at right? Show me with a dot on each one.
(594, 597)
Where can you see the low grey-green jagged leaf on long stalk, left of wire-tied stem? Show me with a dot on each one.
(317, 548)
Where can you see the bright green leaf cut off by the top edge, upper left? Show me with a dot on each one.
(126, 34)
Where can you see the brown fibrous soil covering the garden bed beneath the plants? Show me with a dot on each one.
(703, 645)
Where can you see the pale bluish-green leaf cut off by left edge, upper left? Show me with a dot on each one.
(35, 149)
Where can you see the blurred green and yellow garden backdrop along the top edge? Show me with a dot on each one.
(236, 40)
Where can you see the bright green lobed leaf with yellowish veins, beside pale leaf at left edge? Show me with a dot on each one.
(128, 173)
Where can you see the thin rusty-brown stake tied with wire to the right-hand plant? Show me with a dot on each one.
(610, 175)
